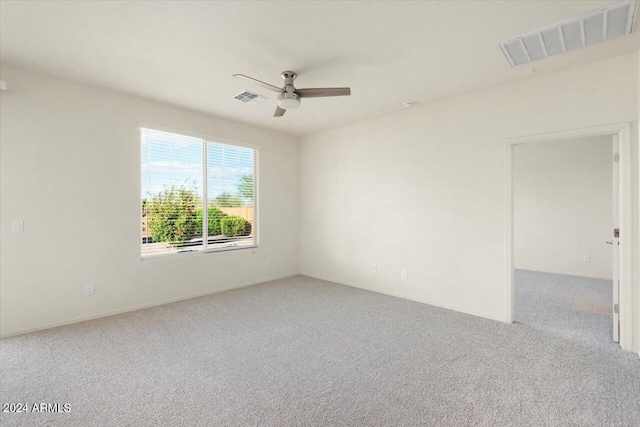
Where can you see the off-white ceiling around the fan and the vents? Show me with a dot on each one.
(185, 53)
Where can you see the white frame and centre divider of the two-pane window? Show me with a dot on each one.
(213, 139)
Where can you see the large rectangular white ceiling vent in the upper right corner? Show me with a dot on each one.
(592, 27)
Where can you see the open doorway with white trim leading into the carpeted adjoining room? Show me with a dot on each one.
(563, 259)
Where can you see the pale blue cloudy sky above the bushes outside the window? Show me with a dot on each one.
(170, 159)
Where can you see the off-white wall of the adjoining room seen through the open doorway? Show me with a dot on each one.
(563, 206)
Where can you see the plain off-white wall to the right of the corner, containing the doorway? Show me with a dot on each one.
(425, 189)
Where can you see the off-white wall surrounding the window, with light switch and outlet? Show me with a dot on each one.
(70, 169)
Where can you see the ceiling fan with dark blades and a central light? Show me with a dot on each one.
(289, 97)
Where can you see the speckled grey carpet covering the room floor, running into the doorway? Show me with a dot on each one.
(303, 352)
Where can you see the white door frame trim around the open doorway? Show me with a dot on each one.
(625, 215)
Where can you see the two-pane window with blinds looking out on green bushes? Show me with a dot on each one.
(197, 195)
